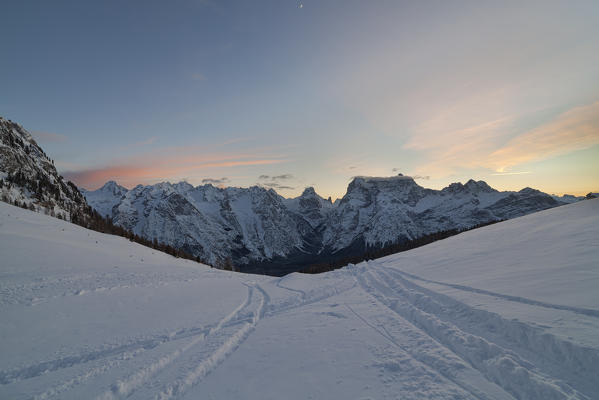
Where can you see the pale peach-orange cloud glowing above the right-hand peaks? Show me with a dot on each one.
(492, 145)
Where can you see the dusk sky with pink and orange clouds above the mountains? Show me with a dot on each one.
(290, 94)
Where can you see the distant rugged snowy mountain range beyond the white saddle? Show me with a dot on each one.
(266, 232)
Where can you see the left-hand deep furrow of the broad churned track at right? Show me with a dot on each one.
(501, 366)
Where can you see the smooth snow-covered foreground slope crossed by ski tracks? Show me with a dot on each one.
(509, 311)
